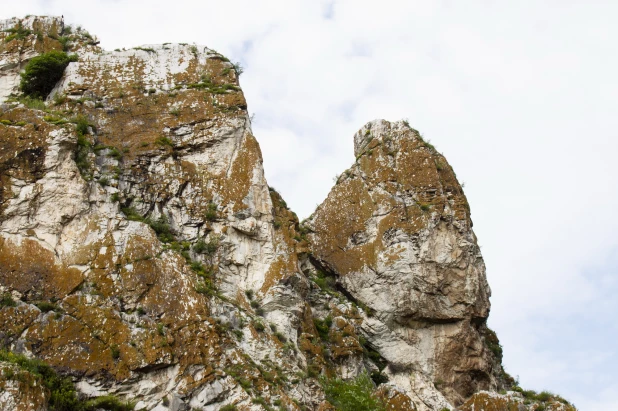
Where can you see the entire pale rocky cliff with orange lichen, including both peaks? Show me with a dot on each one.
(143, 254)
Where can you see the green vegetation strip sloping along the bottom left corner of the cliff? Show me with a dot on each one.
(63, 396)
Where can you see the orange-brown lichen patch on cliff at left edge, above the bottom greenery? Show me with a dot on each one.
(32, 270)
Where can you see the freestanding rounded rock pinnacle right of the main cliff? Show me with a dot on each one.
(396, 230)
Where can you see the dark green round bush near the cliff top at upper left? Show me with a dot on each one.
(43, 72)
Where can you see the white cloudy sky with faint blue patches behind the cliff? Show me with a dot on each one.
(521, 97)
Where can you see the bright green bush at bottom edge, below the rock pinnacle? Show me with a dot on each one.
(352, 395)
